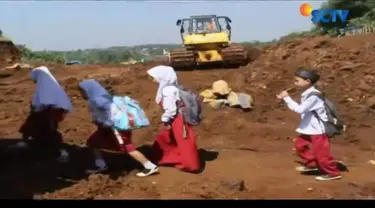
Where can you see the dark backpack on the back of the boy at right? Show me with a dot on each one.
(335, 125)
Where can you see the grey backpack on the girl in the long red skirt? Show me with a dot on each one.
(193, 111)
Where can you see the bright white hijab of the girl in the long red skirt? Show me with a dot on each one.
(165, 75)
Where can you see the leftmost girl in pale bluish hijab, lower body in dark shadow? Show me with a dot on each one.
(50, 104)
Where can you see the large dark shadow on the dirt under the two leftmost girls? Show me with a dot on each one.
(26, 173)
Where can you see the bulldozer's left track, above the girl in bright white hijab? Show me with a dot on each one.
(181, 57)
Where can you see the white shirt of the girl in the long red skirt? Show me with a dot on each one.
(170, 97)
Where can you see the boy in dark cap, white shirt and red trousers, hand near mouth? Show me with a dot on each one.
(312, 144)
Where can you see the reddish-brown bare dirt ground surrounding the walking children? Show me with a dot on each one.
(247, 155)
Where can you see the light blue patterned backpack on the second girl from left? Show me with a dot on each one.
(126, 114)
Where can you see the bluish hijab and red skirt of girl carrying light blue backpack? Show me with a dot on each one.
(99, 101)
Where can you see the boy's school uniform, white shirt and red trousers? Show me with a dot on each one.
(313, 144)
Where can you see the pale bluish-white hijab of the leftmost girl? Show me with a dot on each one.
(48, 91)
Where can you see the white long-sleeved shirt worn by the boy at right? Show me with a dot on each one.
(310, 125)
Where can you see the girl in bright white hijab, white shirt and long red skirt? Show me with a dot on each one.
(175, 143)
